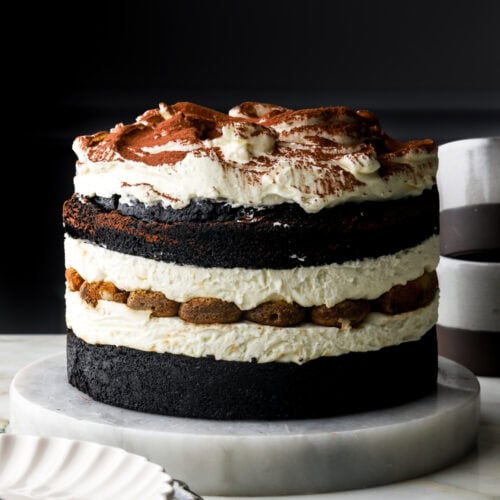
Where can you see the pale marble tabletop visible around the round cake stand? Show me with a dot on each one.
(475, 476)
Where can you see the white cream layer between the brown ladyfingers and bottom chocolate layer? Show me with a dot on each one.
(116, 324)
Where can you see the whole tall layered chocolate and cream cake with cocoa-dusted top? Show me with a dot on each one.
(263, 264)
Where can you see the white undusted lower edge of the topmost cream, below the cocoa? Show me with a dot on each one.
(202, 175)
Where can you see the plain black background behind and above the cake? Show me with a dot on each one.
(428, 69)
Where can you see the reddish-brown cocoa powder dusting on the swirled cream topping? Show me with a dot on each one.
(313, 138)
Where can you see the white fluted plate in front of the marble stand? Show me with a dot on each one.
(55, 468)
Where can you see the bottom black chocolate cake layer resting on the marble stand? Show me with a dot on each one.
(182, 386)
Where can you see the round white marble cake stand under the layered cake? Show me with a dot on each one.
(263, 458)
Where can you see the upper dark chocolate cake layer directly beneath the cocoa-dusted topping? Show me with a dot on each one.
(280, 237)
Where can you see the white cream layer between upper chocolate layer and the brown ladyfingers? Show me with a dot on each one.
(247, 288)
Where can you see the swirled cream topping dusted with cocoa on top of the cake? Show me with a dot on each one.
(257, 154)
